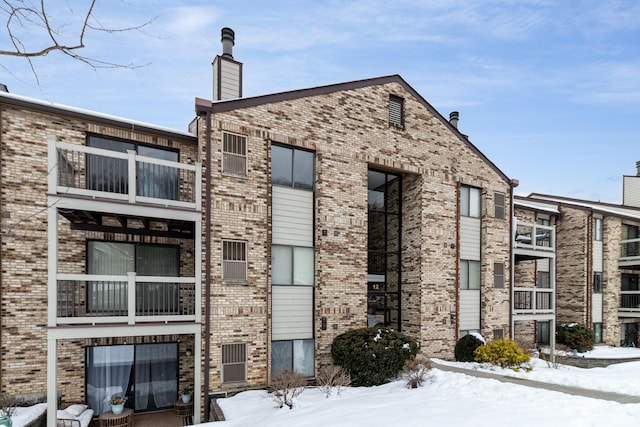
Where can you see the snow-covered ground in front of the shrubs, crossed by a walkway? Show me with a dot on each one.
(451, 399)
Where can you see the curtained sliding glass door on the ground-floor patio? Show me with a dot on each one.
(147, 374)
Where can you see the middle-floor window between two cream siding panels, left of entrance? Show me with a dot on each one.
(292, 265)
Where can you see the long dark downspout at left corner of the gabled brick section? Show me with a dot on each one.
(207, 242)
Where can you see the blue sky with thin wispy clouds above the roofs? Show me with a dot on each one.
(548, 90)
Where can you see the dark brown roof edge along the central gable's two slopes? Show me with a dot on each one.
(203, 106)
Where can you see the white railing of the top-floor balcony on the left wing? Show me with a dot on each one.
(95, 172)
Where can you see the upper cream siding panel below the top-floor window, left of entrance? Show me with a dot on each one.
(292, 217)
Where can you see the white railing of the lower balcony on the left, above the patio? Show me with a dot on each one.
(91, 299)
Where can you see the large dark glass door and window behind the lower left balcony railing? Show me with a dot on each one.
(118, 259)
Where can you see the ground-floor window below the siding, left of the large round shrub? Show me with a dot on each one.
(292, 355)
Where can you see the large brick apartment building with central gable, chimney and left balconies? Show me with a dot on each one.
(137, 259)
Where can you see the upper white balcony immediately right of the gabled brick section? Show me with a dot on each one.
(534, 241)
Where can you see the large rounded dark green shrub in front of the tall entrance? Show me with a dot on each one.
(372, 356)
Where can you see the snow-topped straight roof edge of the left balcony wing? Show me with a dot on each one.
(78, 113)
